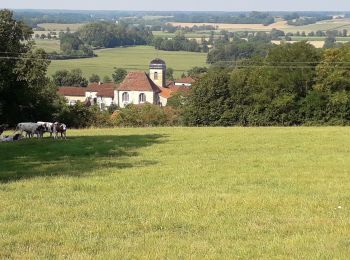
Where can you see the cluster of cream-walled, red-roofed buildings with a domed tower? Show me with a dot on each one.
(138, 87)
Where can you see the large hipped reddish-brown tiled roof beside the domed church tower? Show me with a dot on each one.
(138, 81)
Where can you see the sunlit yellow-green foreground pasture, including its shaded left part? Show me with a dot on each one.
(155, 193)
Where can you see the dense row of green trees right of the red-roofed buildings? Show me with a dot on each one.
(295, 84)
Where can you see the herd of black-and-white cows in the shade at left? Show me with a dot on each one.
(35, 129)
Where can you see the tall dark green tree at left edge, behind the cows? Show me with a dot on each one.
(26, 93)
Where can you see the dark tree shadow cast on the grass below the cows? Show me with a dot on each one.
(75, 156)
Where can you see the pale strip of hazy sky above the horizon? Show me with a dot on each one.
(182, 5)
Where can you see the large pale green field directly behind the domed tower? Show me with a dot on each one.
(131, 58)
